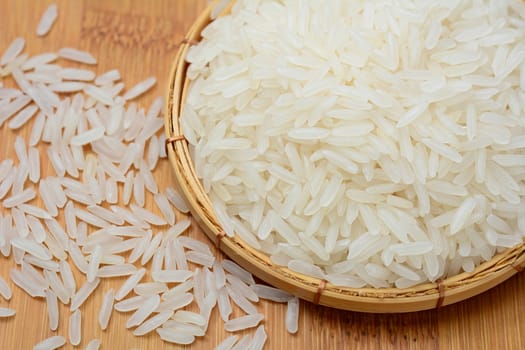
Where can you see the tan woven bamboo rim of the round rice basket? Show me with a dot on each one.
(384, 300)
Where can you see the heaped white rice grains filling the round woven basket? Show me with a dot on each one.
(368, 143)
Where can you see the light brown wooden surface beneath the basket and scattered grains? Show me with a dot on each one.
(140, 39)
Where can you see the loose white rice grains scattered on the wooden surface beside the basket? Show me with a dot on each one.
(80, 204)
